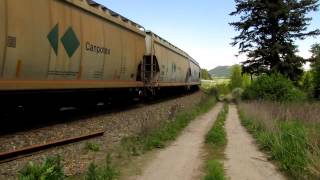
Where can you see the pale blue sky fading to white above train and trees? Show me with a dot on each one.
(201, 28)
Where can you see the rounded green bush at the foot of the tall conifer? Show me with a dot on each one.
(273, 87)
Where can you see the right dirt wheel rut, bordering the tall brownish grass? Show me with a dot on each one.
(244, 160)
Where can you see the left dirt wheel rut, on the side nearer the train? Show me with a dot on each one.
(182, 159)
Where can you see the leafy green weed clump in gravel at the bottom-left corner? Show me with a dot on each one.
(50, 169)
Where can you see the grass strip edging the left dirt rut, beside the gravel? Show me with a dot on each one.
(150, 139)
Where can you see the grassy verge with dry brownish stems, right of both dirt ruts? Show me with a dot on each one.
(289, 133)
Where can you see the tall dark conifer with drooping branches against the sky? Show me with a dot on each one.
(268, 29)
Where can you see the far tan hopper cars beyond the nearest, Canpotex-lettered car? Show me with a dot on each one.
(171, 66)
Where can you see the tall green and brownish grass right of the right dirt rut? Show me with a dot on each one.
(288, 142)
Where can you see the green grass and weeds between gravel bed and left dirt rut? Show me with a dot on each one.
(129, 147)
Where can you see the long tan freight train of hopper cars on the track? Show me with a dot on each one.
(54, 51)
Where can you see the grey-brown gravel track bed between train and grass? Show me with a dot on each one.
(115, 124)
